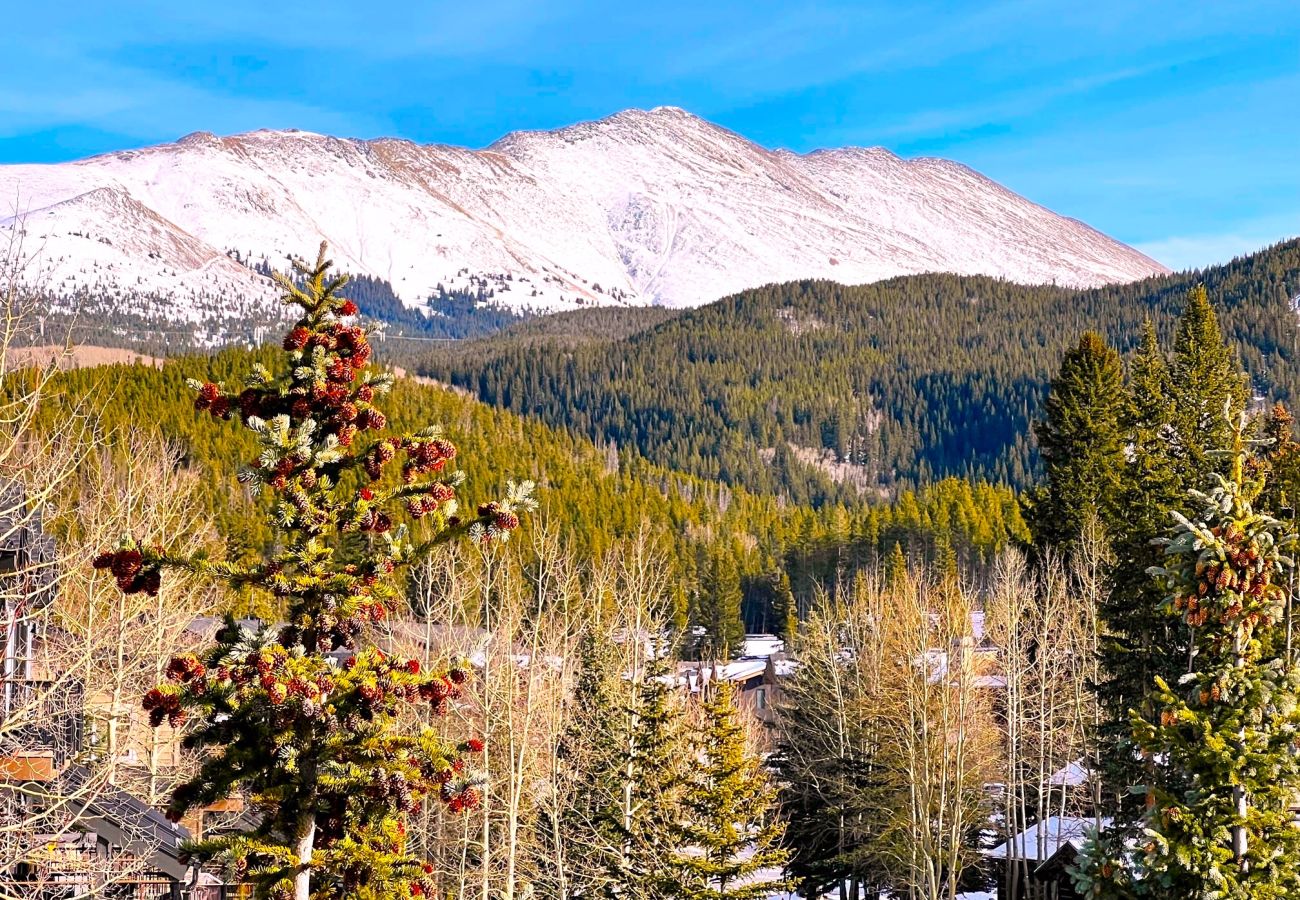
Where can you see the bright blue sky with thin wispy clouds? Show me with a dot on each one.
(1175, 127)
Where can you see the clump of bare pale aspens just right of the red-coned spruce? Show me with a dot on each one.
(521, 615)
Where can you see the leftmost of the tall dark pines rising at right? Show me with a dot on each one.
(1081, 444)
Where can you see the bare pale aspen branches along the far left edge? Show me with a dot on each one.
(54, 772)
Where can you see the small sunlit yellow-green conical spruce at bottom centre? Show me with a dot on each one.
(730, 833)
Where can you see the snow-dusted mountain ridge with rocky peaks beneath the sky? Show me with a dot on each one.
(642, 207)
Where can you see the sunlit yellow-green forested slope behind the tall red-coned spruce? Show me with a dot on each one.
(592, 494)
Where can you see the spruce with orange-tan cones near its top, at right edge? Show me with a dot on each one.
(1227, 722)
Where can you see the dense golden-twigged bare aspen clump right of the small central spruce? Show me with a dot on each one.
(889, 741)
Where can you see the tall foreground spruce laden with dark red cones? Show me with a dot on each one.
(311, 742)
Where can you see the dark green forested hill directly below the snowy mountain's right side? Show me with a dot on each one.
(907, 380)
